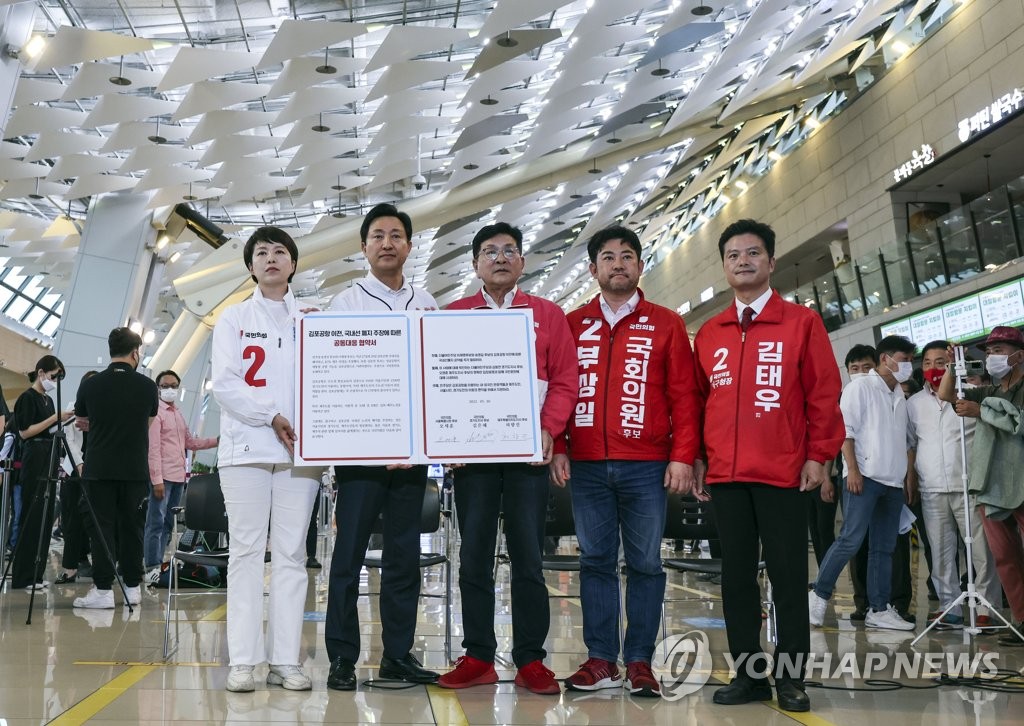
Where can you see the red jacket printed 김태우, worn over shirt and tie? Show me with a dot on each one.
(772, 397)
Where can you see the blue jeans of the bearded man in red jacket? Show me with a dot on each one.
(612, 498)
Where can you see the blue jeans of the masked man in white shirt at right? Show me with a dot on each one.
(875, 514)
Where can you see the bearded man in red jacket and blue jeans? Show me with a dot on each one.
(633, 437)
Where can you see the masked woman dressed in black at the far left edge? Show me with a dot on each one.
(34, 417)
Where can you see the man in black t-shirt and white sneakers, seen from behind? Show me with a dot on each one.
(118, 405)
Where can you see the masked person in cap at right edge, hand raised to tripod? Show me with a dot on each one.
(998, 457)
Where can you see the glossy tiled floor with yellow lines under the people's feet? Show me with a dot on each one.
(105, 667)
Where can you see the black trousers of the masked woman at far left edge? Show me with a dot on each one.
(35, 519)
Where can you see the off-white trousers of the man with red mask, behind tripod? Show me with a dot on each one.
(944, 515)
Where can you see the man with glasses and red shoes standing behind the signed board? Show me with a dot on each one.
(521, 490)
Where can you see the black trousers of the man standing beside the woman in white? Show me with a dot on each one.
(364, 494)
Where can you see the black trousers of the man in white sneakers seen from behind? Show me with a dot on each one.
(120, 508)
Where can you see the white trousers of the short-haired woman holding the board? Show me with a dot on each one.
(258, 498)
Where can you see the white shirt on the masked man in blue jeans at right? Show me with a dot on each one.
(877, 421)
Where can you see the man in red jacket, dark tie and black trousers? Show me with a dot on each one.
(773, 421)
